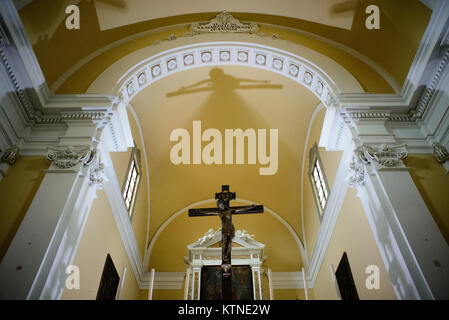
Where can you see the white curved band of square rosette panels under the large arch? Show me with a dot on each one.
(219, 53)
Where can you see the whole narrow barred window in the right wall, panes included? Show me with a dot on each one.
(318, 180)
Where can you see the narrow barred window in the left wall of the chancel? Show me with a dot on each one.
(131, 183)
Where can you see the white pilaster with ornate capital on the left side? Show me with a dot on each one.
(46, 242)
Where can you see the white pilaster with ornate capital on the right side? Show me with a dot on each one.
(413, 249)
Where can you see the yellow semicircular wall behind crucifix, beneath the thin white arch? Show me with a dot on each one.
(281, 249)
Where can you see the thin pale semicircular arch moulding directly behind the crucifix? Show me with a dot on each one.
(202, 202)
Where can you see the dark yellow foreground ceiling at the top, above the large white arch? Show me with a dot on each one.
(114, 28)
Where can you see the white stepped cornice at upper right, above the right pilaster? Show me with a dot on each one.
(431, 52)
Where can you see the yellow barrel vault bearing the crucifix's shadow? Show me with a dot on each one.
(227, 103)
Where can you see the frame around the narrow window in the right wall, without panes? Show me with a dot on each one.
(314, 157)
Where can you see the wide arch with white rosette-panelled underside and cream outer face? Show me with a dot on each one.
(134, 72)
